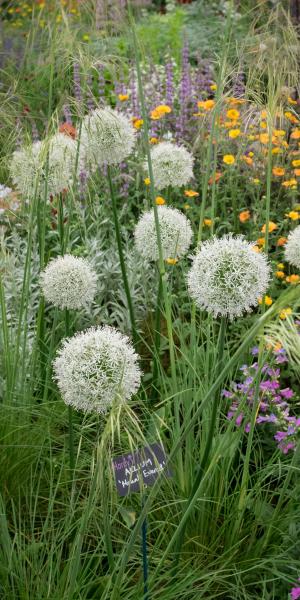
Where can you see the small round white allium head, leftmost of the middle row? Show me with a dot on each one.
(69, 282)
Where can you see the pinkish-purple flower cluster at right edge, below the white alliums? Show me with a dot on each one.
(274, 405)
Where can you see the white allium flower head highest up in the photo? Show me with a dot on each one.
(107, 136)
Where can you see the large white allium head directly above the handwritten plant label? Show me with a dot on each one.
(96, 368)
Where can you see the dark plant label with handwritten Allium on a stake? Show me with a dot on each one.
(136, 470)
